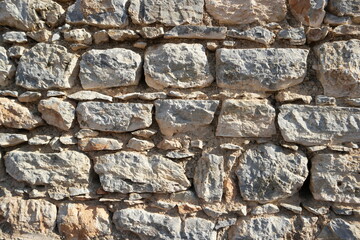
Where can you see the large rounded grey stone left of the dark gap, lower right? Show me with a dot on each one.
(269, 172)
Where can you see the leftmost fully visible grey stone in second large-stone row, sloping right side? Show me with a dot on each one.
(47, 66)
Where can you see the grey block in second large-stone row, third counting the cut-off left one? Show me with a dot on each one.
(116, 67)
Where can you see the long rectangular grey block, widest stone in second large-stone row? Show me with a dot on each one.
(269, 69)
